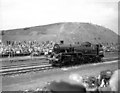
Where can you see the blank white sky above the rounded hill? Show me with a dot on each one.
(25, 13)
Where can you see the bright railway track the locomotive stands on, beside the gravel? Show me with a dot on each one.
(34, 67)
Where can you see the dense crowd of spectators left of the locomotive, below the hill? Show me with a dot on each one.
(23, 48)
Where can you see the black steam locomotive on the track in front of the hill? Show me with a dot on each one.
(68, 54)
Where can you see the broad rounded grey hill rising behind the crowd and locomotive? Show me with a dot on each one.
(69, 32)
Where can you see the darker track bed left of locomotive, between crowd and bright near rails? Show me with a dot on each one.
(25, 62)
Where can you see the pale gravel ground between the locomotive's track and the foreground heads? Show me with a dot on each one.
(36, 80)
